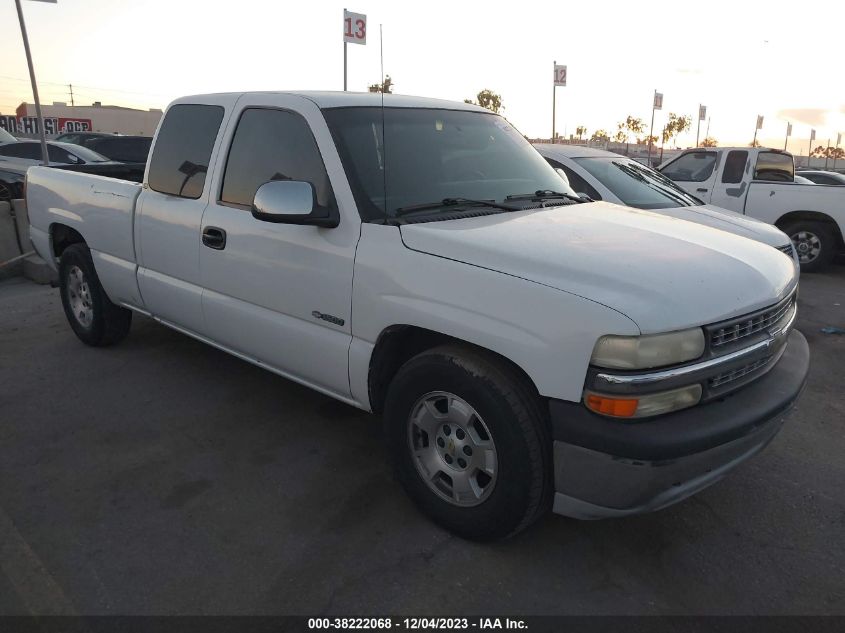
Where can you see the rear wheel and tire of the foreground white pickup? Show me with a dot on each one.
(92, 316)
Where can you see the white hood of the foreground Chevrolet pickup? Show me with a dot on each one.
(662, 272)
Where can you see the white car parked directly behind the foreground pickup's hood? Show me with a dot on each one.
(604, 175)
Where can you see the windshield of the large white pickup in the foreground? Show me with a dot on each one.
(417, 156)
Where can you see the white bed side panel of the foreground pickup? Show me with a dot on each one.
(99, 208)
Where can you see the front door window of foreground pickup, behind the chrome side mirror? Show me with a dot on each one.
(273, 145)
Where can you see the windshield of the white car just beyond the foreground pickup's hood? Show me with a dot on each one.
(637, 185)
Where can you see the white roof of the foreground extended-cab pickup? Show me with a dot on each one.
(337, 99)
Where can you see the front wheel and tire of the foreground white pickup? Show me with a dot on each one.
(474, 394)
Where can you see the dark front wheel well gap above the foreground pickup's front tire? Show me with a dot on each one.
(397, 344)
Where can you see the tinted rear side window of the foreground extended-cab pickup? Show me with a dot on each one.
(183, 147)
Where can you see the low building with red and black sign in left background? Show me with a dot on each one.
(61, 117)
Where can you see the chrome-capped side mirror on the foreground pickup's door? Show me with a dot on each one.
(290, 202)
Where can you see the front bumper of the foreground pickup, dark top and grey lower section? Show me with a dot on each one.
(608, 468)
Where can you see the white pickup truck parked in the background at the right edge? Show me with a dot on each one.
(760, 183)
